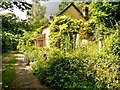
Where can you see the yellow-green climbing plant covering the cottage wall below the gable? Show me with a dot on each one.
(65, 30)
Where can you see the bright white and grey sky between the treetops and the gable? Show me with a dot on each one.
(52, 7)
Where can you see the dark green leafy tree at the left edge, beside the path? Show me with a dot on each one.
(12, 30)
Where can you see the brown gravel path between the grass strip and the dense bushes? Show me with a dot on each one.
(25, 80)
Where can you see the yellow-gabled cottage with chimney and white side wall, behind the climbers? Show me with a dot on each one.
(43, 40)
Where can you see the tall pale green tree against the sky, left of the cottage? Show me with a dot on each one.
(36, 15)
